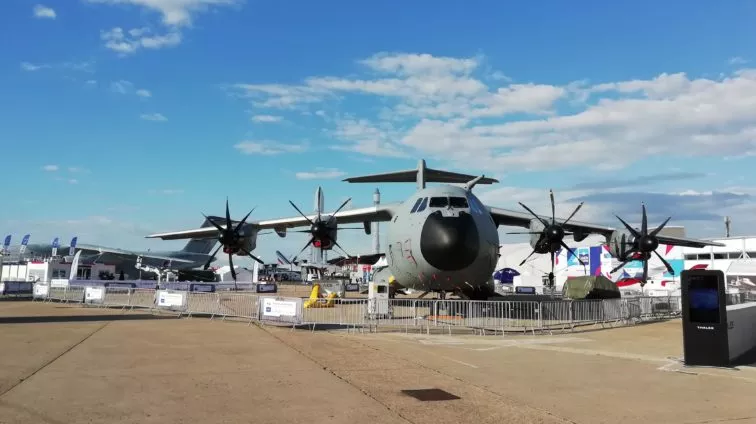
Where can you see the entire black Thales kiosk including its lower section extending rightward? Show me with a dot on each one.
(714, 333)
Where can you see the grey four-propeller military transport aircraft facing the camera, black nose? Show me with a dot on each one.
(442, 238)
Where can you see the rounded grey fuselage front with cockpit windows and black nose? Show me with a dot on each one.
(443, 239)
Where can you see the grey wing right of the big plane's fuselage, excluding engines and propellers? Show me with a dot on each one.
(522, 219)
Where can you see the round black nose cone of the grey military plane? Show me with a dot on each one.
(450, 243)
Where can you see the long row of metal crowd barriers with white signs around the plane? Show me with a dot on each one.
(388, 314)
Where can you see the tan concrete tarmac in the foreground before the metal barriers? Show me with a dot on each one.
(70, 364)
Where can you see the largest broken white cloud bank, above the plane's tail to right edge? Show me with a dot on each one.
(430, 106)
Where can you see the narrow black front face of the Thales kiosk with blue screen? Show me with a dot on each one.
(704, 314)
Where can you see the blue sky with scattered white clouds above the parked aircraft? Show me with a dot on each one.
(121, 118)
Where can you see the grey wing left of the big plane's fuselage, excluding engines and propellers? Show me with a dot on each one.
(370, 214)
